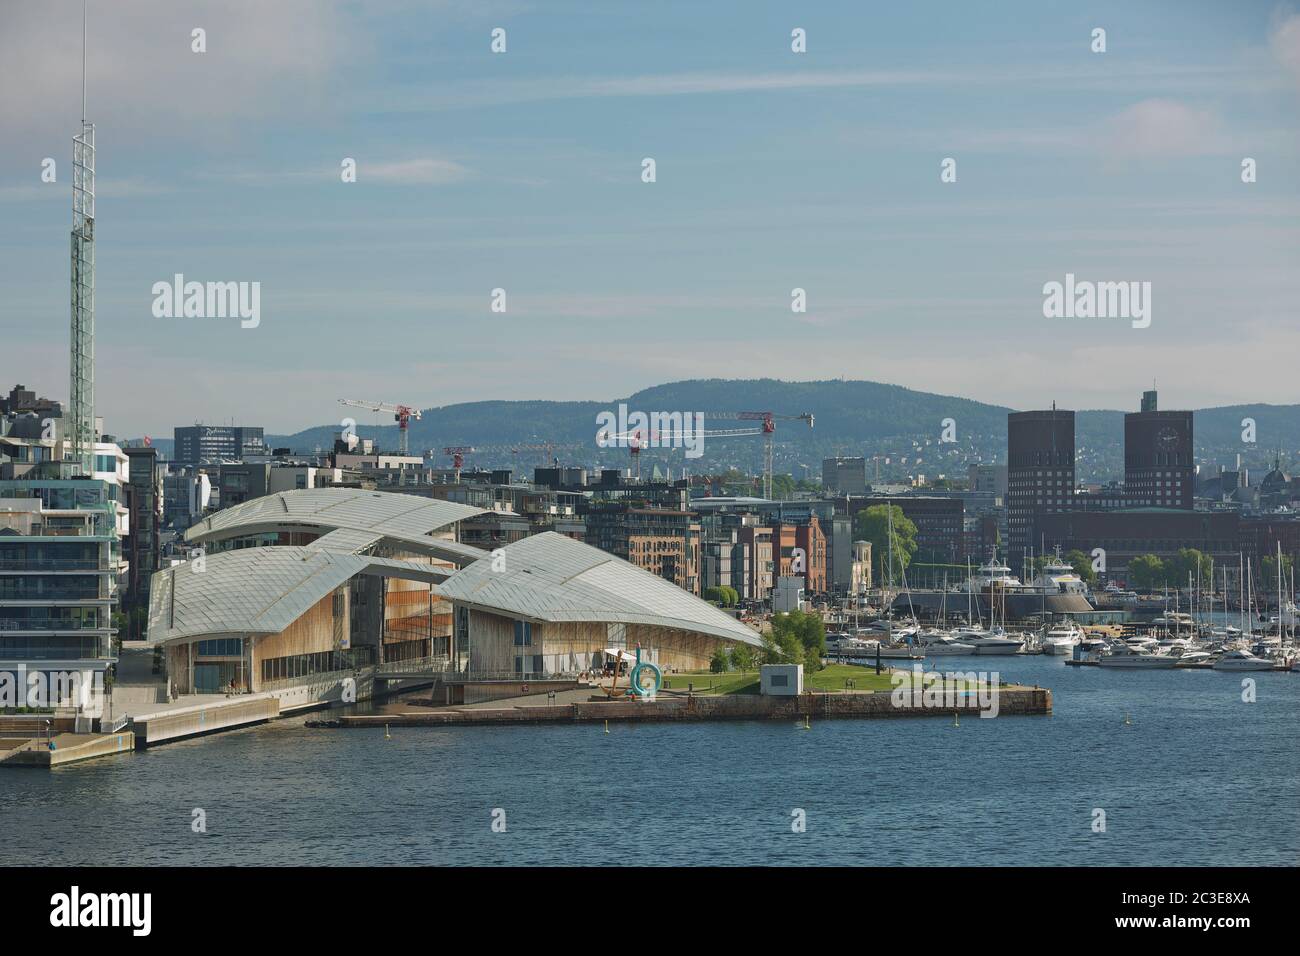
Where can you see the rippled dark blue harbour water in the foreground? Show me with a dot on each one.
(1198, 777)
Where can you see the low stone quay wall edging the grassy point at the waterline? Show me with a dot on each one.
(1021, 702)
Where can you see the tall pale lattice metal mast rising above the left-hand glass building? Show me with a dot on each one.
(83, 345)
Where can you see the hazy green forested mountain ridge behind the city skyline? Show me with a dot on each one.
(852, 418)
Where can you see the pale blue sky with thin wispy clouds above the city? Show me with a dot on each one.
(774, 171)
